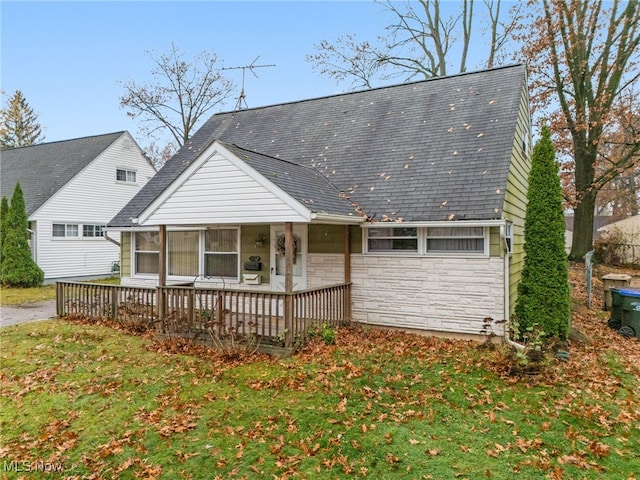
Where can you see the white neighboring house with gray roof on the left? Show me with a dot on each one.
(72, 188)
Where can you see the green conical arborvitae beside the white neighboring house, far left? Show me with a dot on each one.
(18, 267)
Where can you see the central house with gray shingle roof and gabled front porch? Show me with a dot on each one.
(413, 194)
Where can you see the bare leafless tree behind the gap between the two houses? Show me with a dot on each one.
(179, 98)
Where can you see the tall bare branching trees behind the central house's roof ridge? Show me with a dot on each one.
(422, 40)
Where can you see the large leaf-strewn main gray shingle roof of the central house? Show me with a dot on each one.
(418, 152)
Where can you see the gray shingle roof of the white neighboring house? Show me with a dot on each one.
(45, 168)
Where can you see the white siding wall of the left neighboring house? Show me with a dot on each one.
(92, 197)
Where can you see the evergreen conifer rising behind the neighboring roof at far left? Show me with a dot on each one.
(19, 125)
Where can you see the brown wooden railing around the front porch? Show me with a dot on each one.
(199, 313)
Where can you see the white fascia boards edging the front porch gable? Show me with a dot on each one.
(217, 147)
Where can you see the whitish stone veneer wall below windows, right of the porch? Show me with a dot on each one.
(451, 295)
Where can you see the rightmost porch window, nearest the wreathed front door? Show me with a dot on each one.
(221, 253)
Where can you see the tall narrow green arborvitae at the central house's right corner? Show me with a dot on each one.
(544, 298)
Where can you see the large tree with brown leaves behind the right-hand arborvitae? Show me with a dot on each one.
(582, 61)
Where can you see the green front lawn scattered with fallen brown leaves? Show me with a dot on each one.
(90, 401)
